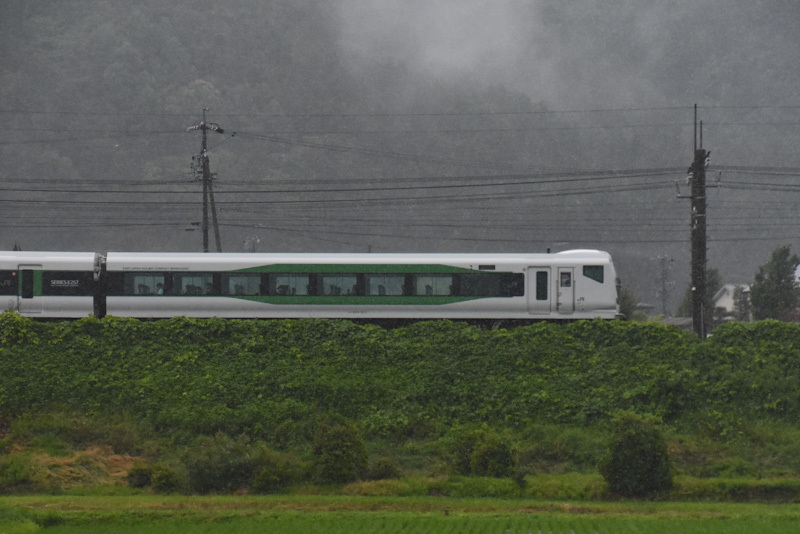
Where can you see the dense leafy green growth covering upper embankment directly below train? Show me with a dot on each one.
(264, 377)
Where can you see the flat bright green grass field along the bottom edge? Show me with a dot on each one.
(337, 514)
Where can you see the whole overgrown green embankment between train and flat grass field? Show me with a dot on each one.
(435, 408)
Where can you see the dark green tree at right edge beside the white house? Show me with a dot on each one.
(774, 294)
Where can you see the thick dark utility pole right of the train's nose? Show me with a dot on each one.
(697, 174)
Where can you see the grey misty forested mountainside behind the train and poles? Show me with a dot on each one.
(413, 125)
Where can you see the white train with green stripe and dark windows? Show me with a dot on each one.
(567, 285)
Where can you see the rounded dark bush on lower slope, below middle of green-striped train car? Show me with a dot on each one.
(339, 454)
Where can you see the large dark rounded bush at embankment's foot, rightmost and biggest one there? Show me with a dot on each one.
(637, 463)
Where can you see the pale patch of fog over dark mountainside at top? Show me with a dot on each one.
(482, 42)
